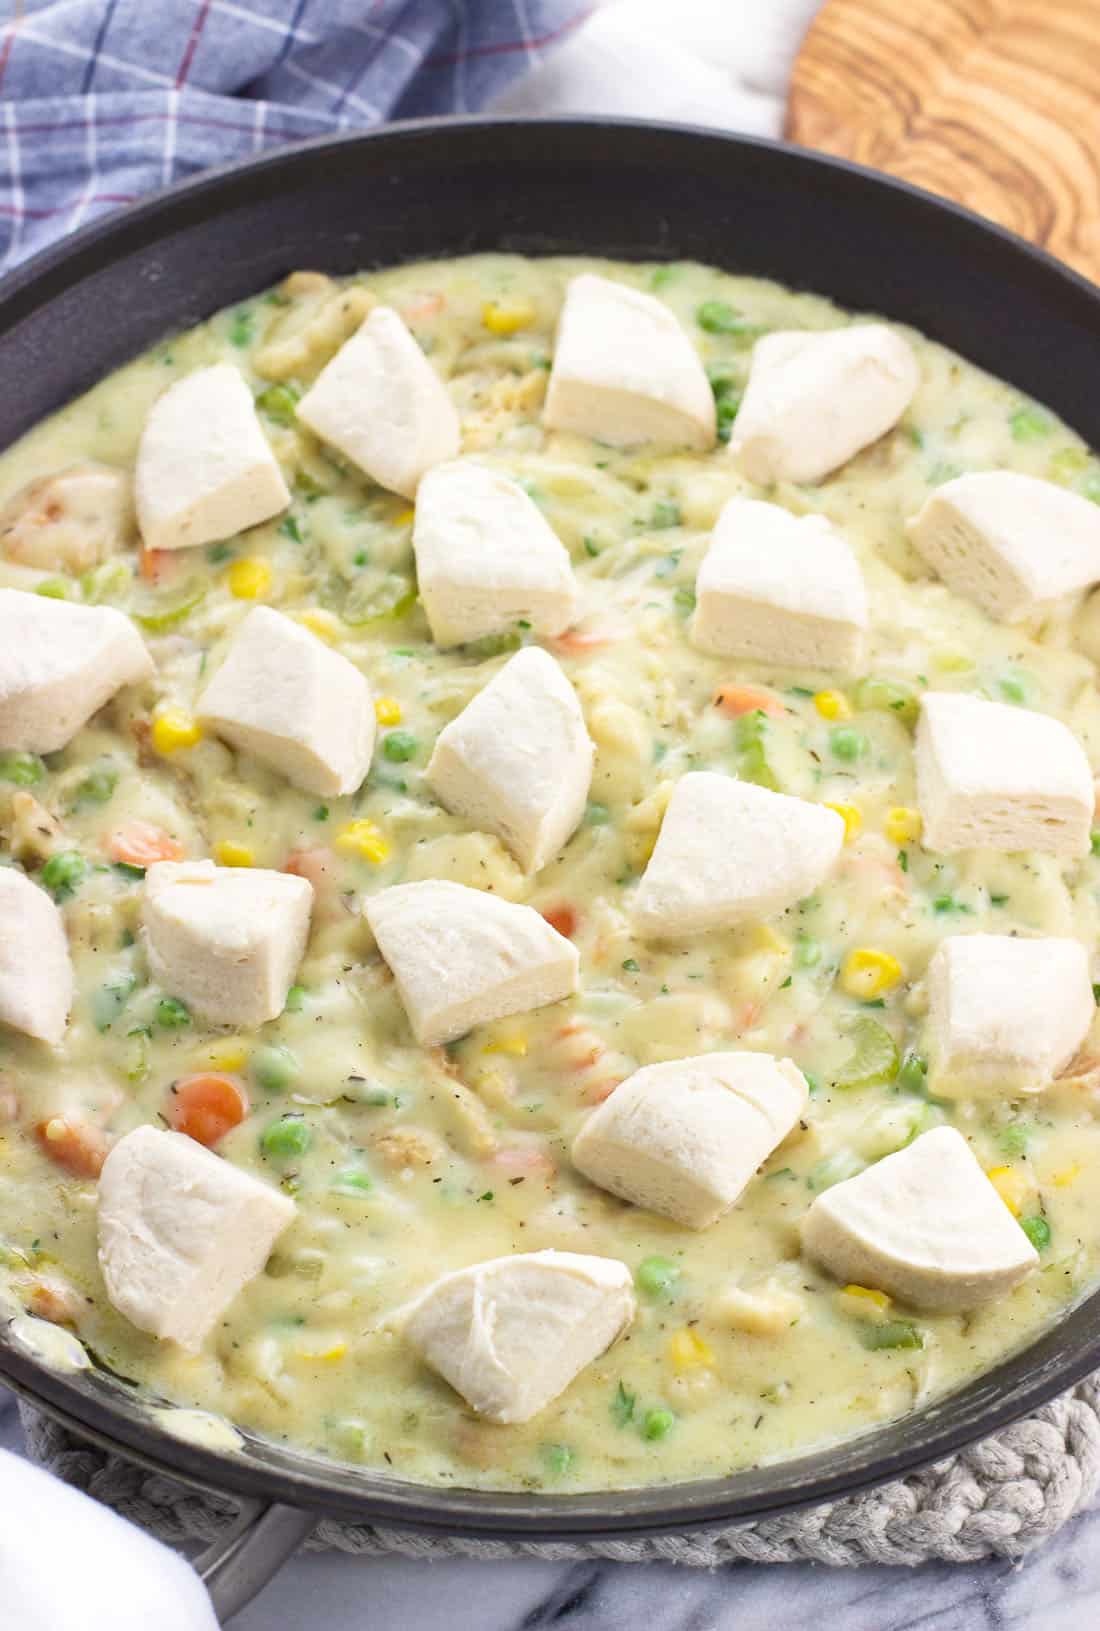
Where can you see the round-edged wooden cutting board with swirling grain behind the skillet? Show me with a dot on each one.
(995, 104)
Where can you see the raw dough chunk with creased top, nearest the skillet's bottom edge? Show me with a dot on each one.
(510, 1335)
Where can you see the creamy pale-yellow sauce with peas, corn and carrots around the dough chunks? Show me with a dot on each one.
(424, 1162)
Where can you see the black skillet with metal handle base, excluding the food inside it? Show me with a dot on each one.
(546, 187)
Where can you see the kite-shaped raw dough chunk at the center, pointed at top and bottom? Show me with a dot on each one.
(518, 759)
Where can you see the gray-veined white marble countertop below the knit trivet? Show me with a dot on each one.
(1058, 1589)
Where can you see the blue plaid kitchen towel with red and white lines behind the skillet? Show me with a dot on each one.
(104, 100)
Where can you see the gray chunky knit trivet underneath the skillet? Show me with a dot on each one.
(998, 1500)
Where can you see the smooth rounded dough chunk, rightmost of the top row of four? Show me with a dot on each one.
(817, 399)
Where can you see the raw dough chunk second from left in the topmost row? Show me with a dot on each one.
(383, 405)
